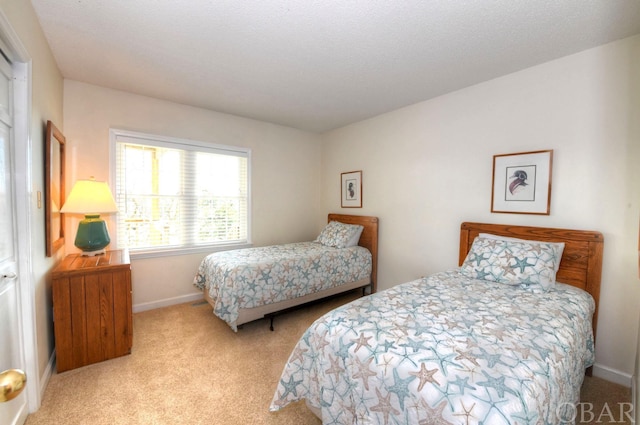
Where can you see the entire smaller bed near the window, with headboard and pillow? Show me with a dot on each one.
(250, 284)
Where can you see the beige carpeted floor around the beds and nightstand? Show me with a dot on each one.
(188, 367)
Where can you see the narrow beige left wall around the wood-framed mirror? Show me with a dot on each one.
(46, 104)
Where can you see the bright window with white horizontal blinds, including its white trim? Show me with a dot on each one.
(179, 195)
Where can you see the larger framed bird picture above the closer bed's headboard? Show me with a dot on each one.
(522, 183)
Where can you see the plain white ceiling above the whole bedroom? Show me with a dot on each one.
(317, 64)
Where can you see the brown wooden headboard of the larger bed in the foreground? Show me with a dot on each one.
(581, 264)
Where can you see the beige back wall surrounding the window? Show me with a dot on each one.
(285, 174)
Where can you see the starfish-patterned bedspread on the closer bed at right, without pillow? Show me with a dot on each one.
(445, 349)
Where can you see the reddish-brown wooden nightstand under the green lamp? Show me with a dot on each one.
(92, 309)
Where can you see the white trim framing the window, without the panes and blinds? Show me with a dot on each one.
(173, 142)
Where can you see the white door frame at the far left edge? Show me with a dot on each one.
(22, 159)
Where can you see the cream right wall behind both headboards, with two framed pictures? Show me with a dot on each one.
(428, 167)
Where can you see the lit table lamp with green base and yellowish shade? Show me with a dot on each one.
(91, 198)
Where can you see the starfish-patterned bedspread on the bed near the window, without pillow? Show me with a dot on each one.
(252, 277)
